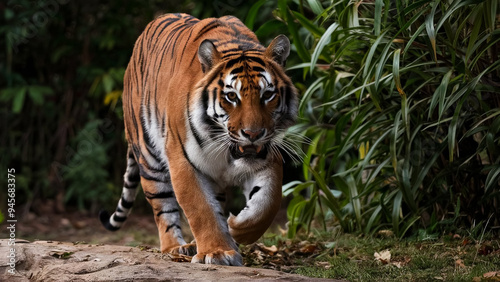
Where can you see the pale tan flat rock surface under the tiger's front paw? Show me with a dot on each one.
(59, 261)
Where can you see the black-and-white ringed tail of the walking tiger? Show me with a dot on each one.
(131, 181)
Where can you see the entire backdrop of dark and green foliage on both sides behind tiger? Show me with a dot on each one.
(400, 101)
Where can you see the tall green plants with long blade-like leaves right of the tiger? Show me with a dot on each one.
(401, 100)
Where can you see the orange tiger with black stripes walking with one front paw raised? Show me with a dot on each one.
(206, 108)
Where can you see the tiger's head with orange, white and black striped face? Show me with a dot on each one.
(247, 100)
